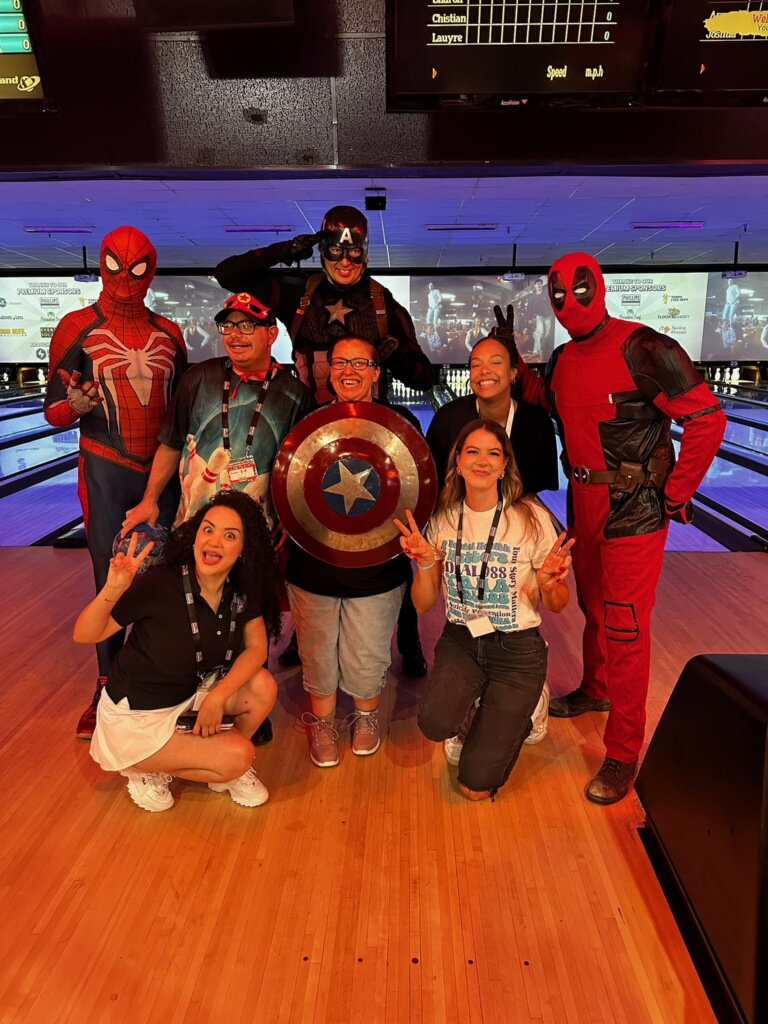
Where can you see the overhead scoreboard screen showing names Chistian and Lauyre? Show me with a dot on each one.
(504, 55)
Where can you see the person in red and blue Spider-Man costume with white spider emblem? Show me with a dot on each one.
(135, 359)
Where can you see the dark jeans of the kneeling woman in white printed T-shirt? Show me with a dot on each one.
(507, 672)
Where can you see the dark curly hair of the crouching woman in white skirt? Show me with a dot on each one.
(255, 574)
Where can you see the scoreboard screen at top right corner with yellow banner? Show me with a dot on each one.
(716, 51)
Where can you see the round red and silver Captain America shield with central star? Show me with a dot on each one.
(342, 477)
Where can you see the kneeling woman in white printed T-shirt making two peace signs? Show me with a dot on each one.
(496, 554)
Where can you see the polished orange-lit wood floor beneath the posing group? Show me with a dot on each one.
(372, 892)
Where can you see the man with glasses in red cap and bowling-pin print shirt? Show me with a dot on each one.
(228, 418)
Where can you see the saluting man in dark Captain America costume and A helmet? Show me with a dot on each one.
(343, 302)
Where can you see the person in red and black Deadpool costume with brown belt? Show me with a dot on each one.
(615, 390)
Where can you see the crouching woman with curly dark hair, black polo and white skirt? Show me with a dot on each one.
(208, 607)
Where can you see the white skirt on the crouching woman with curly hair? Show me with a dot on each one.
(122, 737)
